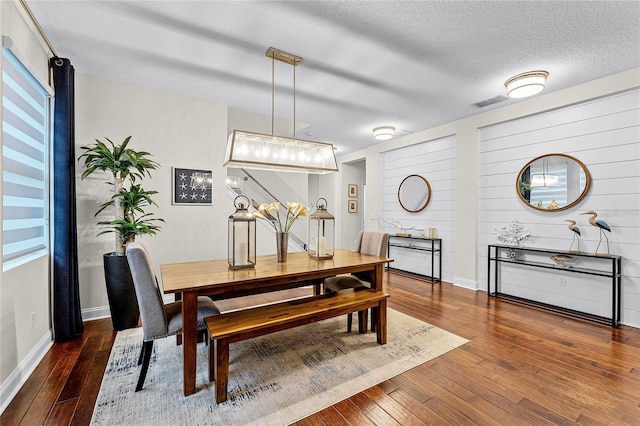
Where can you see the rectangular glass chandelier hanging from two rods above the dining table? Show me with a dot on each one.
(260, 151)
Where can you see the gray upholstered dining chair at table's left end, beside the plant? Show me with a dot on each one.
(158, 320)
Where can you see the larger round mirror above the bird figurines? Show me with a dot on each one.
(553, 182)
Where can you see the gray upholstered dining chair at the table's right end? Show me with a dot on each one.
(368, 242)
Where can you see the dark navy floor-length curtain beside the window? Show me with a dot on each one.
(67, 317)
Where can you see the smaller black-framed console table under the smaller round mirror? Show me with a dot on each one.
(432, 246)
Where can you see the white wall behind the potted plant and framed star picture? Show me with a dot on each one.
(178, 131)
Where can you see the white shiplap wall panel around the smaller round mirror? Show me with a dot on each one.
(435, 161)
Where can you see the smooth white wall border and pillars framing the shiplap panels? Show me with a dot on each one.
(466, 133)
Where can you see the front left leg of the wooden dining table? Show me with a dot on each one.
(190, 340)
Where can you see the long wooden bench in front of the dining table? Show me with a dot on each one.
(245, 324)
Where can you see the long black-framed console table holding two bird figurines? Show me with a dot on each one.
(496, 257)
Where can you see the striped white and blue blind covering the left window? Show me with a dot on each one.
(25, 132)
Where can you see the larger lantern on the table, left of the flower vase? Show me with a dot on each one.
(242, 236)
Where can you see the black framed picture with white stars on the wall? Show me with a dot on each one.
(192, 186)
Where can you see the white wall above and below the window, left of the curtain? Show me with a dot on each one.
(25, 289)
